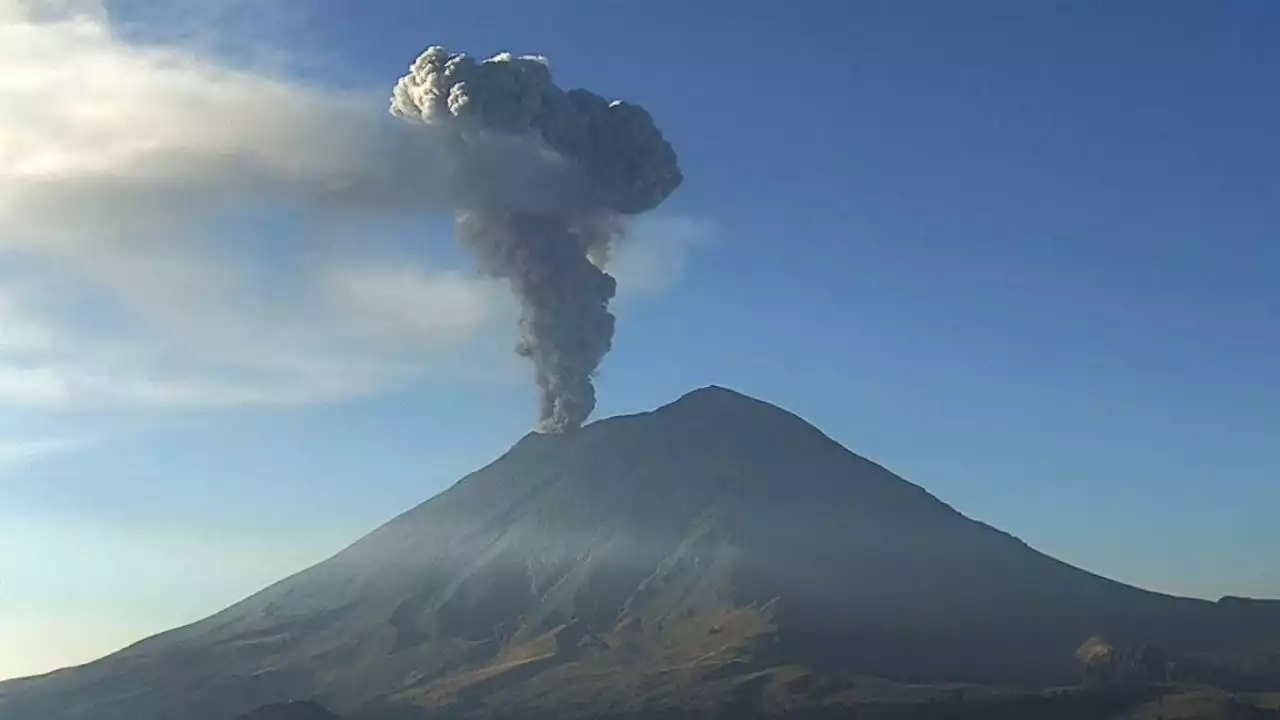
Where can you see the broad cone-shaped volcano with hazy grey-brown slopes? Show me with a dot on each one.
(716, 550)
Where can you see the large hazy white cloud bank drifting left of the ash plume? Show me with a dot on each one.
(135, 188)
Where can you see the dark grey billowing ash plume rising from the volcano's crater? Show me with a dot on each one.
(543, 181)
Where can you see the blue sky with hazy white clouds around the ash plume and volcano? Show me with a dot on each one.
(1023, 254)
